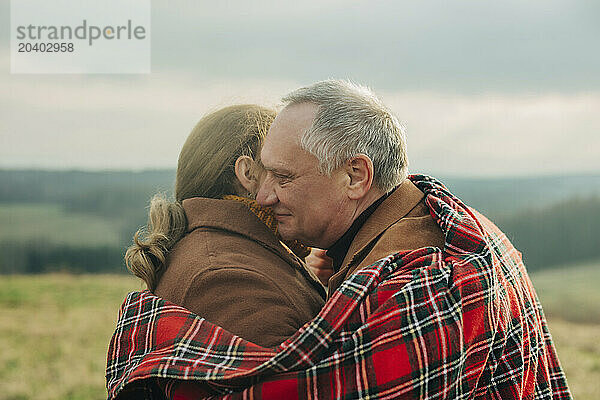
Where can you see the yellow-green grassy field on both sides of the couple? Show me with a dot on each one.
(54, 331)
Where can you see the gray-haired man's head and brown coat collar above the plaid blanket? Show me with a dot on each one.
(336, 178)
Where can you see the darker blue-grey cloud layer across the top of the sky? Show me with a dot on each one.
(468, 46)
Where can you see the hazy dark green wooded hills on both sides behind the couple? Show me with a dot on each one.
(83, 221)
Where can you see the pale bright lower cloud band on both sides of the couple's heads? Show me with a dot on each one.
(142, 122)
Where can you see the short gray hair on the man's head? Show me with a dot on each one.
(351, 120)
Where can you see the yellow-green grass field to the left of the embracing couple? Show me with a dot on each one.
(54, 332)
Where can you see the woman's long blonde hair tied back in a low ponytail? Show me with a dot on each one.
(206, 168)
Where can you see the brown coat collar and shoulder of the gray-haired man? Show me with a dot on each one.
(401, 222)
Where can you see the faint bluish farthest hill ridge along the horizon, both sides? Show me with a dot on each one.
(494, 196)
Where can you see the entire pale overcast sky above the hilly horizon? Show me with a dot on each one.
(485, 88)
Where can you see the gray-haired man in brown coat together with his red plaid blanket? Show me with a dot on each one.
(429, 299)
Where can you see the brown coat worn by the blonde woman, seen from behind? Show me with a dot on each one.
(232, 270)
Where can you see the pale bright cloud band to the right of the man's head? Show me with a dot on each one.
(501, 134)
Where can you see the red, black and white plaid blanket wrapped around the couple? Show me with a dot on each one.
(426, 324)
